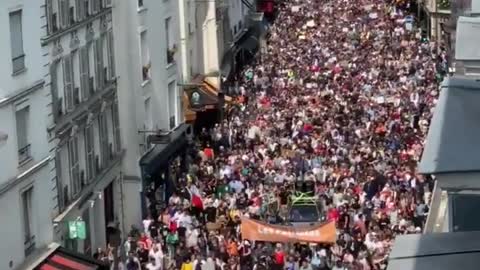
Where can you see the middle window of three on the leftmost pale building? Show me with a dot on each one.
(22, 122)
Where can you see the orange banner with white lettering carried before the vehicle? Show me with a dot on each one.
(259, 231)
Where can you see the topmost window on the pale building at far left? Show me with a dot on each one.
(16, 42)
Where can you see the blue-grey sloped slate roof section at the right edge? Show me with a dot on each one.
(452, 141)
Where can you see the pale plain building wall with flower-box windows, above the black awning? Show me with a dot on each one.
(147, 86)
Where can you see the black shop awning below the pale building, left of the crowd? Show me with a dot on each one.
(161, 153)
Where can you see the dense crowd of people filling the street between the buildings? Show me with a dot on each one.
(342, 98)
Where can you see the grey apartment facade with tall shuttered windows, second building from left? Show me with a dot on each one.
(85, 133)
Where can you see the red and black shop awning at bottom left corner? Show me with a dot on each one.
(61, 258)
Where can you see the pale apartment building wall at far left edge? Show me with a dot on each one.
(24, 154)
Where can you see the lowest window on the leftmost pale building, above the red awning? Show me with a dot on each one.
(28, 229)
